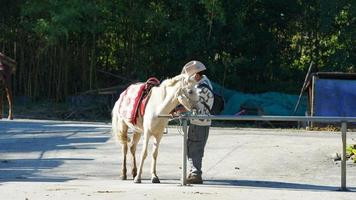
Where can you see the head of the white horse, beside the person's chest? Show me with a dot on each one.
(187, 94)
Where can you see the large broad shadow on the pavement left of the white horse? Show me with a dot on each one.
(28, 149)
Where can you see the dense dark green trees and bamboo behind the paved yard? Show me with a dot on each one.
(248, 45)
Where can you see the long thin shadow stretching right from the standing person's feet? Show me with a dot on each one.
(274, 185)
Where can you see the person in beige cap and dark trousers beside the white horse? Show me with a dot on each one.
(198, 130)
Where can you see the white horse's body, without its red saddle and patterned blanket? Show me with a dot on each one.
(163, 99)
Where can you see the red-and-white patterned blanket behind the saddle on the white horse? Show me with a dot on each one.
(129, 101)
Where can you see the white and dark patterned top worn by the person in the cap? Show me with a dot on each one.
(206, 98)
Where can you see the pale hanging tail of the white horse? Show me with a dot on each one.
(118, 131)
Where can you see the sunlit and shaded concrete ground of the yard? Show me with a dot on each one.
(71, 160)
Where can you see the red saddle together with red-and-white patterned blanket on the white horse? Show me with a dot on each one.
(134, 99)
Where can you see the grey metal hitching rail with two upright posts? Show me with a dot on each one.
(342, 120)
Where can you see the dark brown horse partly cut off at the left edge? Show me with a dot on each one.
(7, 68)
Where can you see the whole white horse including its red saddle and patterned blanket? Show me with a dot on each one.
(142, 118)
